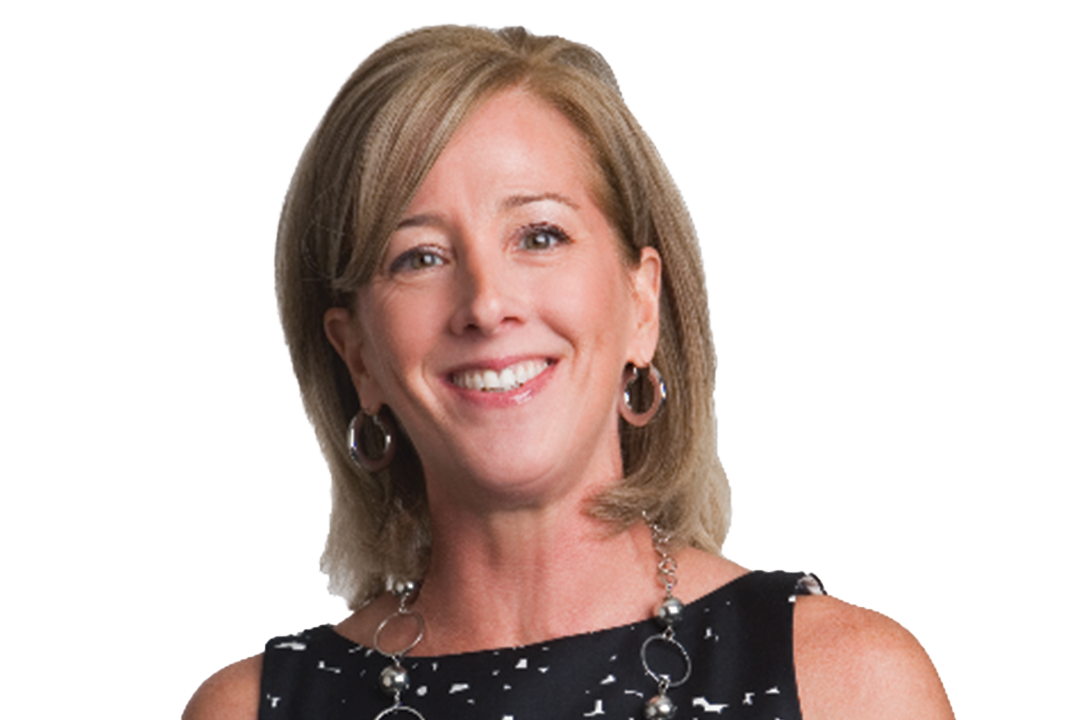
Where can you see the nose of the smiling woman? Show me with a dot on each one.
(488, 300)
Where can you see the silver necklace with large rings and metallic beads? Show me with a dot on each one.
(395, 680)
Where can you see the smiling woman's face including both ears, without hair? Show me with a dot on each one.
(502, 317)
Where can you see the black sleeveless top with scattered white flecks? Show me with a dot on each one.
(739, 639)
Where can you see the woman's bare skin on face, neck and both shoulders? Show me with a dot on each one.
(503, 256)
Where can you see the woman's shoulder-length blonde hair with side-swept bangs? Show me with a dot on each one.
(370, 151)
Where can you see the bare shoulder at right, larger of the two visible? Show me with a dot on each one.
(853, 663)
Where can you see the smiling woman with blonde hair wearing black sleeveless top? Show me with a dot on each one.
(496, 313)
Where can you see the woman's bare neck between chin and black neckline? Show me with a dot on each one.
(518, 578)
